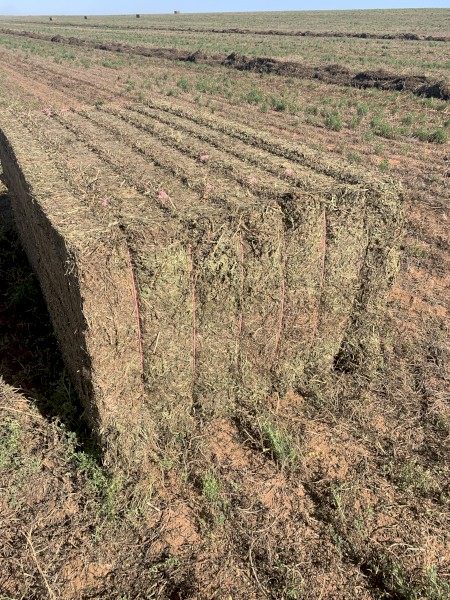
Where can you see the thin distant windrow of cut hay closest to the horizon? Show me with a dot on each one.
(242, 31)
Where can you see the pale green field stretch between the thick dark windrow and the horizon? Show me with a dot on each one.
(410, 57)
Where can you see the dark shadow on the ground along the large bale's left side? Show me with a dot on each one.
(30, 358)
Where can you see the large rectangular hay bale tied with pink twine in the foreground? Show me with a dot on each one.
(220, 282)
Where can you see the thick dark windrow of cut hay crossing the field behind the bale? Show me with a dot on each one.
(419, 85)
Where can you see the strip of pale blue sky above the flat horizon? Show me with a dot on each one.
(108, 7)
